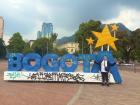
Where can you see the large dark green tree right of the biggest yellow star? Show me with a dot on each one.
(126, 46)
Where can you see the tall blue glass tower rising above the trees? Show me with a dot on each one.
(47, 29)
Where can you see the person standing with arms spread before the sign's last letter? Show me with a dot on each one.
(105, 71)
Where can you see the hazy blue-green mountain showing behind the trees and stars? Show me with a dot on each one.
(64, 40)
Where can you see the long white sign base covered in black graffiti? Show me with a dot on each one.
(55, 76)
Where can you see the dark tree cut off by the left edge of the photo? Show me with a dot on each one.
(2, 49)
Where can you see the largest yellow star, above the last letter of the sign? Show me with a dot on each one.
(105, 38)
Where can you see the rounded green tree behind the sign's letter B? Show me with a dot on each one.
(16, 43)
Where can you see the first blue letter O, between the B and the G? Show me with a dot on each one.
(31, 57)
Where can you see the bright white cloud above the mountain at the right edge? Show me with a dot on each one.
(129, 17)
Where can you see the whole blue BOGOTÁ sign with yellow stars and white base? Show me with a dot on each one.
(52, 67)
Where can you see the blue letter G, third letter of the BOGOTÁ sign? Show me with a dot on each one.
(50, 63)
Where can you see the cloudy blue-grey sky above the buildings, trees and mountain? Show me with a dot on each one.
(27, 16)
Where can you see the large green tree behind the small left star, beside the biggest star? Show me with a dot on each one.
(84, 32)
